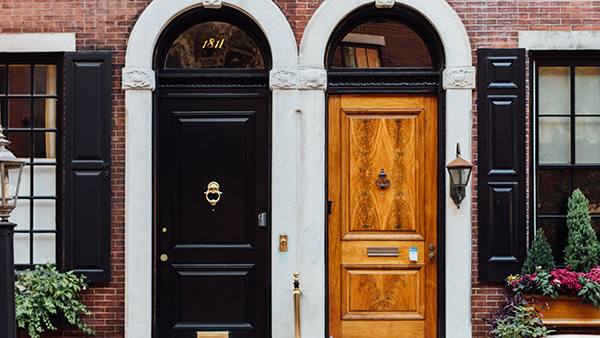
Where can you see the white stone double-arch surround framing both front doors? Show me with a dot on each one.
(298, 158)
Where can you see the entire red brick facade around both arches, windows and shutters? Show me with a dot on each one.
(105, 25)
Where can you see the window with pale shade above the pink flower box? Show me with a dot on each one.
(567, 141)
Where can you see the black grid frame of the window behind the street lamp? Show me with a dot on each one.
(32, 59)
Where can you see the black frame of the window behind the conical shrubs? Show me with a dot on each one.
(571, 59)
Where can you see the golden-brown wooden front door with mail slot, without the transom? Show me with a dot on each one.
(382, 228)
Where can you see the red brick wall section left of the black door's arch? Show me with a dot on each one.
(103, 26)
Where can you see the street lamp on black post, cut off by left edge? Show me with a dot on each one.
(11, 169)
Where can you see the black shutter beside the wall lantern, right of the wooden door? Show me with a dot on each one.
(502, 150)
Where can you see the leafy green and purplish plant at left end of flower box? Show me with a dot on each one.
(517, 319)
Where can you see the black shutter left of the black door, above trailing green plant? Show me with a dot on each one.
(87, 164)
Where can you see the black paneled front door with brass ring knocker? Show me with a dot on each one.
(212, 185)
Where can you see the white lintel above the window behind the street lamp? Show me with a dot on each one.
(37, 42)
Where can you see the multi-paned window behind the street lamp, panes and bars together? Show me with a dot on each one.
(30, 109)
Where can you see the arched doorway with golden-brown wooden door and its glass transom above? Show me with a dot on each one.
(385, 174)
